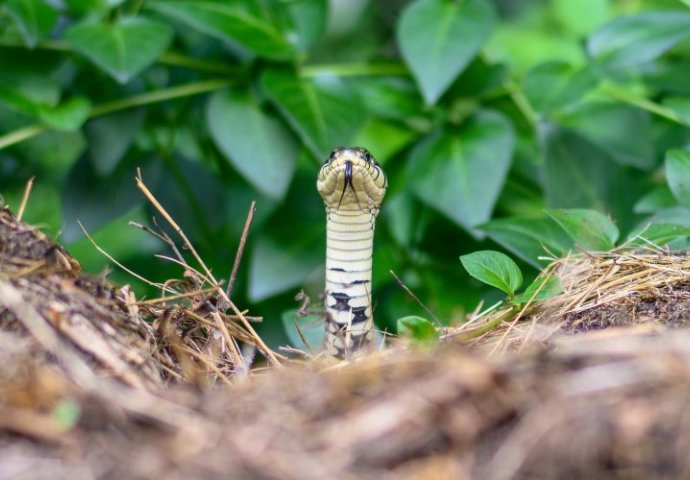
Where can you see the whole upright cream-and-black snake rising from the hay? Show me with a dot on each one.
(352, 186)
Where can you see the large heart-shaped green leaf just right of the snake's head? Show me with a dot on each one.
(461, 173)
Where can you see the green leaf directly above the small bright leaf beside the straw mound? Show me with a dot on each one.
(528, 238)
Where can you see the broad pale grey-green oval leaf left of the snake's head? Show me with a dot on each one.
(259, 146)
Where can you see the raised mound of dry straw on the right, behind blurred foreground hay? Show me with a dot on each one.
(622, 288)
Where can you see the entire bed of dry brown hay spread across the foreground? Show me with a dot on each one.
(569, 398)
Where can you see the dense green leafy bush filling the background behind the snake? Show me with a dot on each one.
(527, 126)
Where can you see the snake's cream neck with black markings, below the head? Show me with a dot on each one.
(349, 249)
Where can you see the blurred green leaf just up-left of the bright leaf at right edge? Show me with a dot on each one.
(622, 131)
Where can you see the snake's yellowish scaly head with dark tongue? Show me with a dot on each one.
(351, 179)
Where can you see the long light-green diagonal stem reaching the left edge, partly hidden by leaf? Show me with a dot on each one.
(147, 98)
